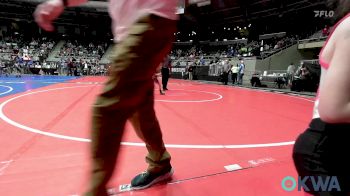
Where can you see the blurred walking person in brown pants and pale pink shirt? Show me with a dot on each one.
(144, 31)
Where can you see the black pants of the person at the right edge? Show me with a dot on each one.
(322, 151)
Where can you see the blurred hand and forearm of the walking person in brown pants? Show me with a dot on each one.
(49, 10)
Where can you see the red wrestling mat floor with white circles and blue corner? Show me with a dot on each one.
(223, 140)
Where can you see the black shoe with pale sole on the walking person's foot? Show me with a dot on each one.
(147, 179)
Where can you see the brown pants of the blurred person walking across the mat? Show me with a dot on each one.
(128, 94)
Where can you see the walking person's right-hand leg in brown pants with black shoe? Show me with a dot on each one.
(147, 128)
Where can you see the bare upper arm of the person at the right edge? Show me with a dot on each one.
(334, 105)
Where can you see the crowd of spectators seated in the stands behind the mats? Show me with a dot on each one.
(83, 58)
